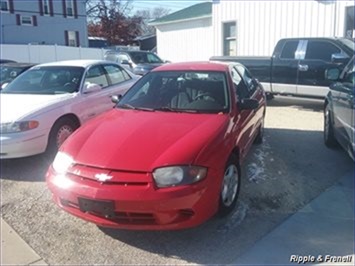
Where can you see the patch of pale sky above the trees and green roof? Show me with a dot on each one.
(172, 5)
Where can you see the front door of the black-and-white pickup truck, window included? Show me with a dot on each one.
(311, 68)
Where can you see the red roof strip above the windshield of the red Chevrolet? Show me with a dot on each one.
(191, 66)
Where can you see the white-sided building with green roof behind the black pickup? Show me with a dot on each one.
(248, 28)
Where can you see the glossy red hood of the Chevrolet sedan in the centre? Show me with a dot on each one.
(141, 141)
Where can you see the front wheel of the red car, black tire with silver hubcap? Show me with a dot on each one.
(227, 202)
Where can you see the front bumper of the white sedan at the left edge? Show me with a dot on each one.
(16, 145)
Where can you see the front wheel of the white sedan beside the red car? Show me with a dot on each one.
(64, 126)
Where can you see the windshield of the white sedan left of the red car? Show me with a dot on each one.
(47, 80)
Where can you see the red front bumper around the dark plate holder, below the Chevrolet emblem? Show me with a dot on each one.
(138, 205)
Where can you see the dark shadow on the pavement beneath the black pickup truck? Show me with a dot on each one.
(307, 104)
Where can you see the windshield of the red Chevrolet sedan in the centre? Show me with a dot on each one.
(179, 91)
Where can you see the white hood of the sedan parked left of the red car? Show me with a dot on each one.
(16, 106)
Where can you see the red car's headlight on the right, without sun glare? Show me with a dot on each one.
(178, 175)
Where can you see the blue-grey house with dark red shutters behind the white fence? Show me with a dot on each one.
(61, 22)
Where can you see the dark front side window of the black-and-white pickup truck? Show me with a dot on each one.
(321, 50)
